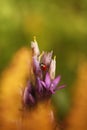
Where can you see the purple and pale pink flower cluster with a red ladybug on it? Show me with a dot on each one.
(44, 83)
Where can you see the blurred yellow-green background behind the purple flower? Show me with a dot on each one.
(60, 26)
